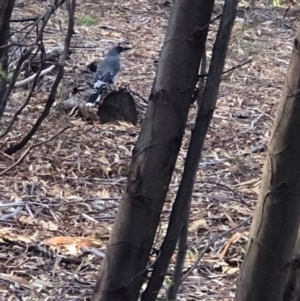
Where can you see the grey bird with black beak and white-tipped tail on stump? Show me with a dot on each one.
(107, 73)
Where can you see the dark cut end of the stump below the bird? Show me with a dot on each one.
(118, 105)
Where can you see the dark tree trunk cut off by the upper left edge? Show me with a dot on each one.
(6, 7)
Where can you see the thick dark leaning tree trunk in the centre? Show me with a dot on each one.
(124, 267)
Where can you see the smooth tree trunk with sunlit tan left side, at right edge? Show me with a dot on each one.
(276, 220)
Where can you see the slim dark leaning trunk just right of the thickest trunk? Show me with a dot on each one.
(181, 206)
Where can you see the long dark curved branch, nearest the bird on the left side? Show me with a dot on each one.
(52, 95)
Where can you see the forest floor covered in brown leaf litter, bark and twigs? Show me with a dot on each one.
(60, 199)
